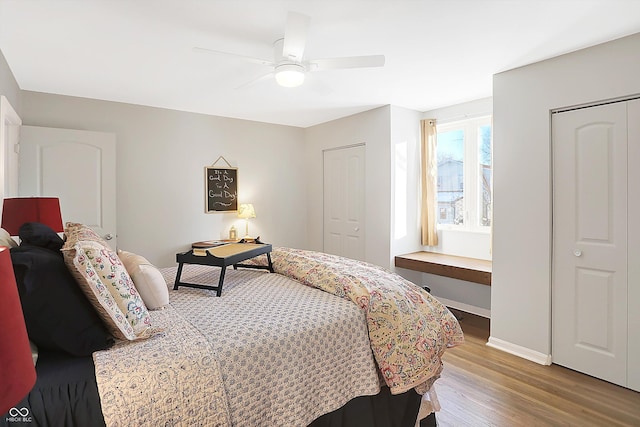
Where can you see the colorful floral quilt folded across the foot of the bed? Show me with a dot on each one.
(409, 329)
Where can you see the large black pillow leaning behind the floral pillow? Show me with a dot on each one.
(57, 314)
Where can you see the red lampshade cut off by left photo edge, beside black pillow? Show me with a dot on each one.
(17, 372)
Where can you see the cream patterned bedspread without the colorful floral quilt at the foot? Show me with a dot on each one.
(268, 352)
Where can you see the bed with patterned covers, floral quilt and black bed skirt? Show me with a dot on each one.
(323, 341)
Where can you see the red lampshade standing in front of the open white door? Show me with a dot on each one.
(17, 211)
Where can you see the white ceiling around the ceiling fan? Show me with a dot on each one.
(438, 52)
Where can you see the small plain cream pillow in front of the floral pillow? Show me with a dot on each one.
(147, 278)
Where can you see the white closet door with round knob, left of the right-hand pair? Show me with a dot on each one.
(590, 241)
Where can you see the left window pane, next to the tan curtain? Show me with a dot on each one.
(451, 176)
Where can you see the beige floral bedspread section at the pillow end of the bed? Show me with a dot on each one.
(168, 379)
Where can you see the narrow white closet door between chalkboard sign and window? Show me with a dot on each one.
(344, 180)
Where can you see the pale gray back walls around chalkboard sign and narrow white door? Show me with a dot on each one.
(280, 172)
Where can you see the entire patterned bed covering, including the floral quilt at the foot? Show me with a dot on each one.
(270, 352)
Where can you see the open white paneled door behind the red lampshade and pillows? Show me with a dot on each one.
(77, 166)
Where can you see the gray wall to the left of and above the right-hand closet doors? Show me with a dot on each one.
(522, 101)
